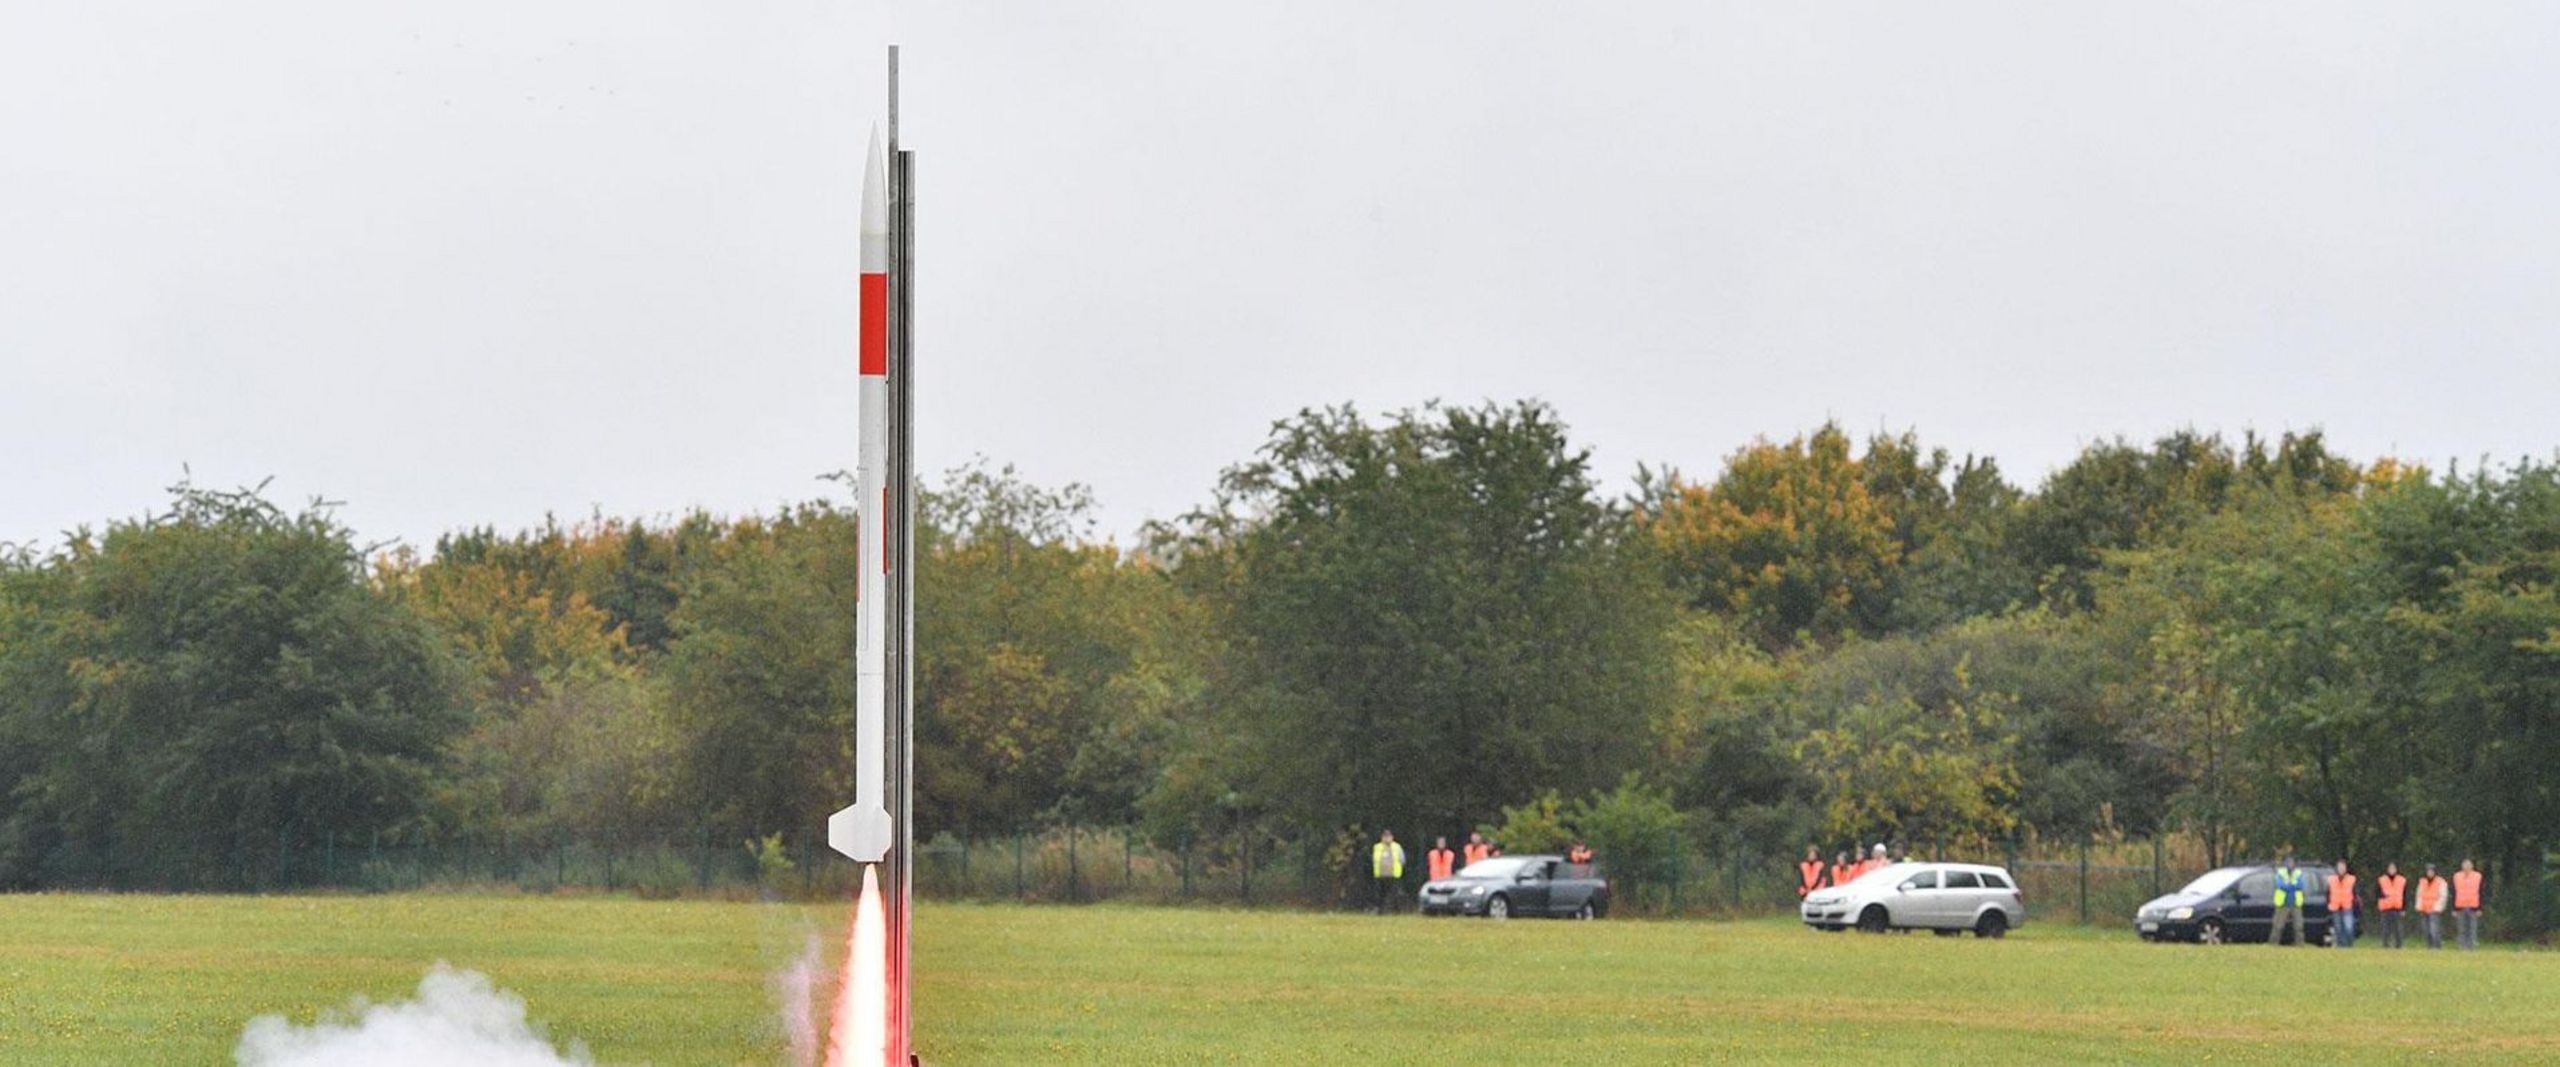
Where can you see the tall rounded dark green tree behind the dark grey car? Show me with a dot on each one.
(1430, 618)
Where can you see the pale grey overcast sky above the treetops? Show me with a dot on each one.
(475, 262)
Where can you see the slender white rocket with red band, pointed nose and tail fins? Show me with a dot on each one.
(864, 830)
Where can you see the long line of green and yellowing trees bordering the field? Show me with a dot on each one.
(1432, 620)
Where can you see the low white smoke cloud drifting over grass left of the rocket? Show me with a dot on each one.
(457, 1020)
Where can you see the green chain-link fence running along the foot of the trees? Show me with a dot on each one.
(2095, 884)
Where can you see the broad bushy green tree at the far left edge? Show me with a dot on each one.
(214, 679)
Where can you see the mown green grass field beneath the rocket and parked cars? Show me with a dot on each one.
(170, 981)
